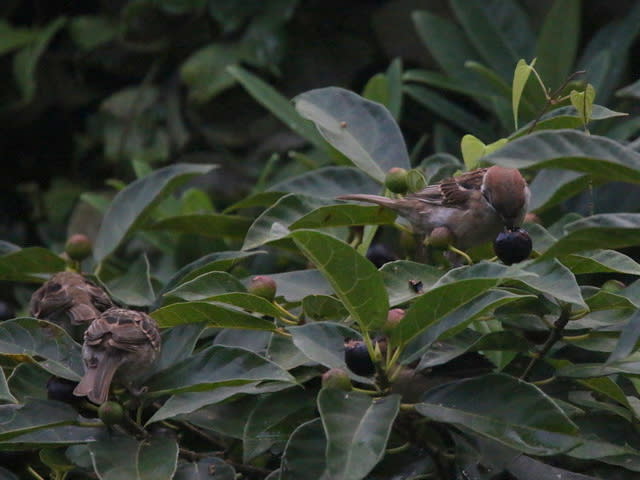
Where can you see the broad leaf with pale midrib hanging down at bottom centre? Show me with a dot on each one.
(357, 429)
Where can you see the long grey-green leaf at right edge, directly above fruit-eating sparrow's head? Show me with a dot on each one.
(574, 150)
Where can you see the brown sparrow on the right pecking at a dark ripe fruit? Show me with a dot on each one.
(474, 206)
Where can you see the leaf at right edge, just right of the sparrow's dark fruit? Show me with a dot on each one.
(607, 230)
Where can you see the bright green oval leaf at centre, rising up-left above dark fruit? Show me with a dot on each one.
(354, 278)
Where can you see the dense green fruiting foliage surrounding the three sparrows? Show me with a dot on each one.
(305, 337)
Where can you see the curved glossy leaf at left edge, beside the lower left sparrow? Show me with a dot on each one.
(44, 340)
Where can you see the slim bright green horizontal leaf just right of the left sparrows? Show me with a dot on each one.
(211, 314)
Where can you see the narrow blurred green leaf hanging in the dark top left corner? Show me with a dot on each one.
(25, 62)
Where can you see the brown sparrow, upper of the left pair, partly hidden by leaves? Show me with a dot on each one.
(70, 300)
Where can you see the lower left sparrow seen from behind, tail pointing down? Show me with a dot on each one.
(120, 345)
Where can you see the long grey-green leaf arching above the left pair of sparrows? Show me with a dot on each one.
(131, 206)
